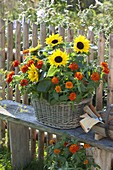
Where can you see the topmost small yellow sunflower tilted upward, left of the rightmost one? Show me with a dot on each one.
(54, 40)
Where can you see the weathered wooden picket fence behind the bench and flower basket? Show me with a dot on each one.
(14, 41)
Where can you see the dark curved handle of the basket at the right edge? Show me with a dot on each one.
(108, 111)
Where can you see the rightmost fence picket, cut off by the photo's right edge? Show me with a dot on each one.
(110, 76)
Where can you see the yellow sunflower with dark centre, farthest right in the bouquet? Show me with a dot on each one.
(81, 44)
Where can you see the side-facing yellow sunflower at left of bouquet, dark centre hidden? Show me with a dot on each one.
(33, 74)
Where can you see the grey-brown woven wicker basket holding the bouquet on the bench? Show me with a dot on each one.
(59, 116)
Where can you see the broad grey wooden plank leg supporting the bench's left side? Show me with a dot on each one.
(19, 144)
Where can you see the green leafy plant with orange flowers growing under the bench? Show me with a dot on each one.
(68, 154)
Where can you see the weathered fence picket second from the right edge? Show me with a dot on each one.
(99, 92)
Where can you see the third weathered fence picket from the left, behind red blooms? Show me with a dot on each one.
(17, 56)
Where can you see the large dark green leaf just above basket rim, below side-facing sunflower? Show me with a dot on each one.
(43, 86)
